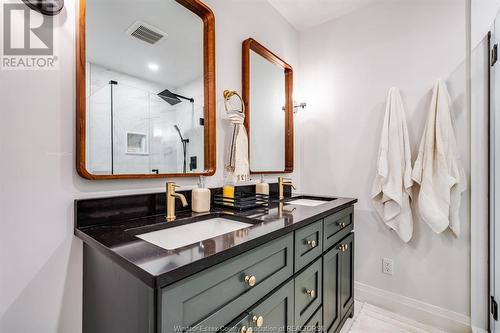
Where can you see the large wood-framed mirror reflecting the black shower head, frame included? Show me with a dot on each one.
(145, 77)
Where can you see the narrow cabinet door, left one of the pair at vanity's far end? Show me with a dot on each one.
(331, 289)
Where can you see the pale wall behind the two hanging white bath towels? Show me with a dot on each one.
(347, 68)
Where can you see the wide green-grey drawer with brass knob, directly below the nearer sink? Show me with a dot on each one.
(219, 294)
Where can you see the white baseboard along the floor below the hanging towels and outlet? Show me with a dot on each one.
(425, 313)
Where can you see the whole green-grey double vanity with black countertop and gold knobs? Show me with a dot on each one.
(286, 267)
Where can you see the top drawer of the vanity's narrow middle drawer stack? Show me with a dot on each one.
(308, 244)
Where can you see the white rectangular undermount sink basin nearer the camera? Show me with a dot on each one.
(186, 234)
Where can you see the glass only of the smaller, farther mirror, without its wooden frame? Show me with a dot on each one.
(267, 120)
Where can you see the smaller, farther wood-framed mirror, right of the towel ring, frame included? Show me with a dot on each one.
(267, 94)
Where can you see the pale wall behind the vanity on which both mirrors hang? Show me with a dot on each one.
(41, 261)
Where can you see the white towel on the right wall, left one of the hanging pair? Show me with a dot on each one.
(392, 187)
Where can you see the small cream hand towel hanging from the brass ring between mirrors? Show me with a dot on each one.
(237, 157)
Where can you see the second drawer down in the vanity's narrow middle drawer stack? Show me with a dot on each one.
(308, 292)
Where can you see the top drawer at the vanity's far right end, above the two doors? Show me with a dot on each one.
(333, 224)
